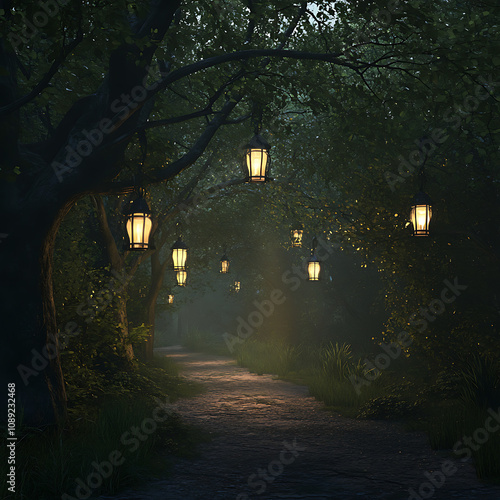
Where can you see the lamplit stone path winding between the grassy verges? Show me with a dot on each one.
(274, 429)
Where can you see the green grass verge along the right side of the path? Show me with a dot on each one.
(448, 406)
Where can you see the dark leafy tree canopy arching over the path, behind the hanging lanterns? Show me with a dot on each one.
(360, 100)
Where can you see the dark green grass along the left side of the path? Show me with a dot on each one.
(58, 460)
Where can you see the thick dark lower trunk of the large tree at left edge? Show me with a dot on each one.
(30, 347)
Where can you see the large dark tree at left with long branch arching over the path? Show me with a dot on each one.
(106, 77)
